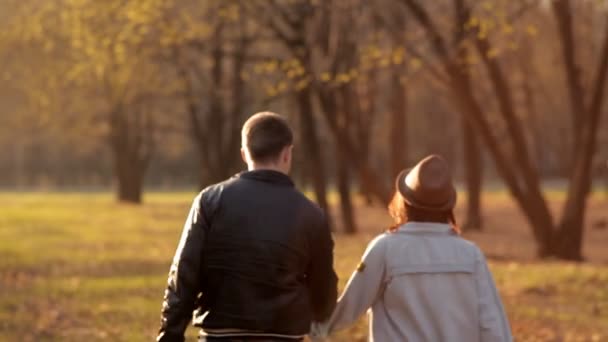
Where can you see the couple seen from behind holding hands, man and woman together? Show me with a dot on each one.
(255, 260)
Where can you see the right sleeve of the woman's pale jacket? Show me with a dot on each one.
(493, 322)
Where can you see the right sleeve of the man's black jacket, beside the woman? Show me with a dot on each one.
(322, 279)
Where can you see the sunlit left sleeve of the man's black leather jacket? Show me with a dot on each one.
(183, 285)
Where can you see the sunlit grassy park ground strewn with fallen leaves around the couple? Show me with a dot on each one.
(79, 266)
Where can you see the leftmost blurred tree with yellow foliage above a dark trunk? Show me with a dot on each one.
(110, 49)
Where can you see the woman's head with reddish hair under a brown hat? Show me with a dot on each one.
(424, 193)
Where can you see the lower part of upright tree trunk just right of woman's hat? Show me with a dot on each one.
(473, 166)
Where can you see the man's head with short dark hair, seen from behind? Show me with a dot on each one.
(267, 142)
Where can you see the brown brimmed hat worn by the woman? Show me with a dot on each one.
(428, 185)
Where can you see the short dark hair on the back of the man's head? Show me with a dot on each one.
(265, 135)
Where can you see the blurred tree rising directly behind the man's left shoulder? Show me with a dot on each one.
(210, 63)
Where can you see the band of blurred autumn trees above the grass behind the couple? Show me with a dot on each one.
(154, 92)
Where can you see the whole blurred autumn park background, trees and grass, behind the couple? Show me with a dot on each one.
(105, 105)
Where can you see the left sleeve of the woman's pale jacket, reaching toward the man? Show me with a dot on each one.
(363, 288)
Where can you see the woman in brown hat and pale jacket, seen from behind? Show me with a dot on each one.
(420, 279)
